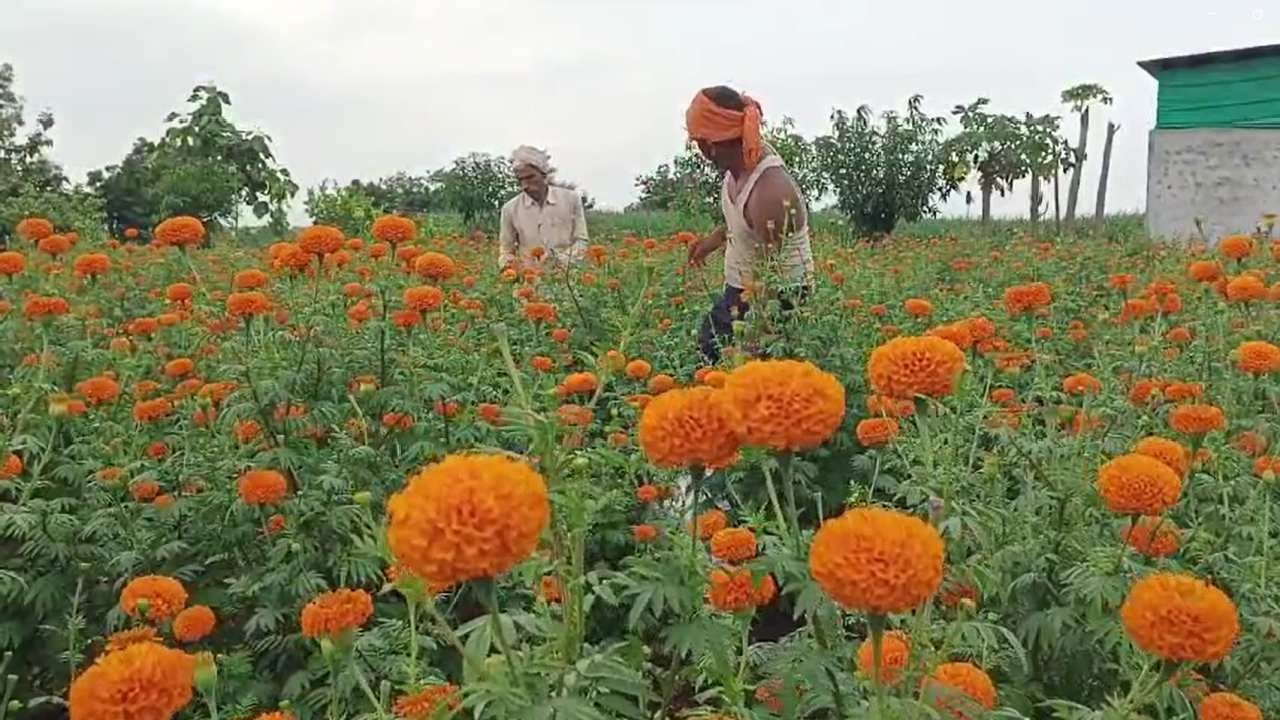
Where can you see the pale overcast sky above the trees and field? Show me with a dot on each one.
(367, 88)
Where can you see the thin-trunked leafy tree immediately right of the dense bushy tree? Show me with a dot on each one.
(991, 145)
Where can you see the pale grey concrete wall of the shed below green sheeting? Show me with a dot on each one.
(1228, 177)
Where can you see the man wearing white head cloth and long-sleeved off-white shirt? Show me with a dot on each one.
(546, 222)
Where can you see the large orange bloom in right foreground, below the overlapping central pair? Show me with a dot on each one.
(877, 562)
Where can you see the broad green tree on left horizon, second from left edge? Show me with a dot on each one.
(203, 166)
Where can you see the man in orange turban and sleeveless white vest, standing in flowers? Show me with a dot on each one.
(766, 231)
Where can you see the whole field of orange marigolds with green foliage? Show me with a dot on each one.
(377, 477)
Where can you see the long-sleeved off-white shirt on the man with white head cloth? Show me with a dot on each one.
(559, 227)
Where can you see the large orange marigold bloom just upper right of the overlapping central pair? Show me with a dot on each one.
(907, 367)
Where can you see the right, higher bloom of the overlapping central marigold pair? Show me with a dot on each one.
(785, 405)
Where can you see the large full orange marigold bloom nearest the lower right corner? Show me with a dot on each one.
(1181, 618)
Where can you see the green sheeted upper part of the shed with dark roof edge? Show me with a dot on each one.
(1227, 89)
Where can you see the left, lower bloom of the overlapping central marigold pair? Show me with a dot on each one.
(694, 427)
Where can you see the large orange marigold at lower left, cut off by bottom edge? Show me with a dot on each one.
(145, 681)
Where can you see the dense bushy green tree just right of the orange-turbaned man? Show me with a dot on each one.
(881, 175)
